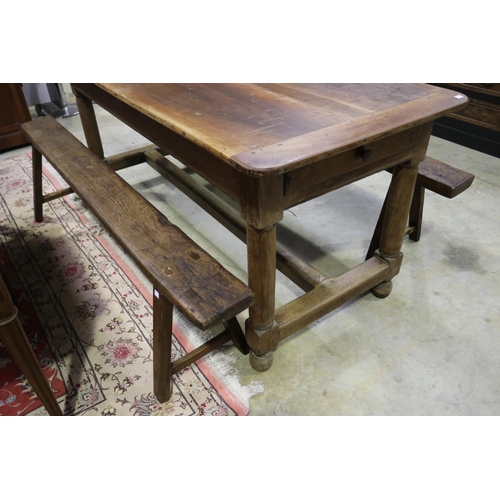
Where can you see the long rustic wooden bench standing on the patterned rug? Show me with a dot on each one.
(182, 273)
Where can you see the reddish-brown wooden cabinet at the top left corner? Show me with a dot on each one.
(13, 112)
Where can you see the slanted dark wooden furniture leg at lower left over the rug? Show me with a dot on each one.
(15, 340)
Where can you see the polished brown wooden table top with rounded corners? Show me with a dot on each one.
(269, 129)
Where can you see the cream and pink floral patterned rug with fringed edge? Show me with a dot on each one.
(87, 311)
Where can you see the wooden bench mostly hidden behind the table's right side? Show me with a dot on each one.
(439, 177)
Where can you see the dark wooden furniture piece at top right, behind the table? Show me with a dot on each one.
(478, 125)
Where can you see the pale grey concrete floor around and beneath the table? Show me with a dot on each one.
(431, 348)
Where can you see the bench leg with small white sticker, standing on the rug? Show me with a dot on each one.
(162, 346)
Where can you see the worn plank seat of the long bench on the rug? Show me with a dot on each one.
(183, 272)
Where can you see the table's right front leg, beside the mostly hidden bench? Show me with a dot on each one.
(395, 221)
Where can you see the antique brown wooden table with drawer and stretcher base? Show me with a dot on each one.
(270, 147)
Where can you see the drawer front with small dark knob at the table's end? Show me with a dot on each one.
(337, 171)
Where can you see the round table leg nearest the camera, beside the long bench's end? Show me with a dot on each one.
(261, 247)
